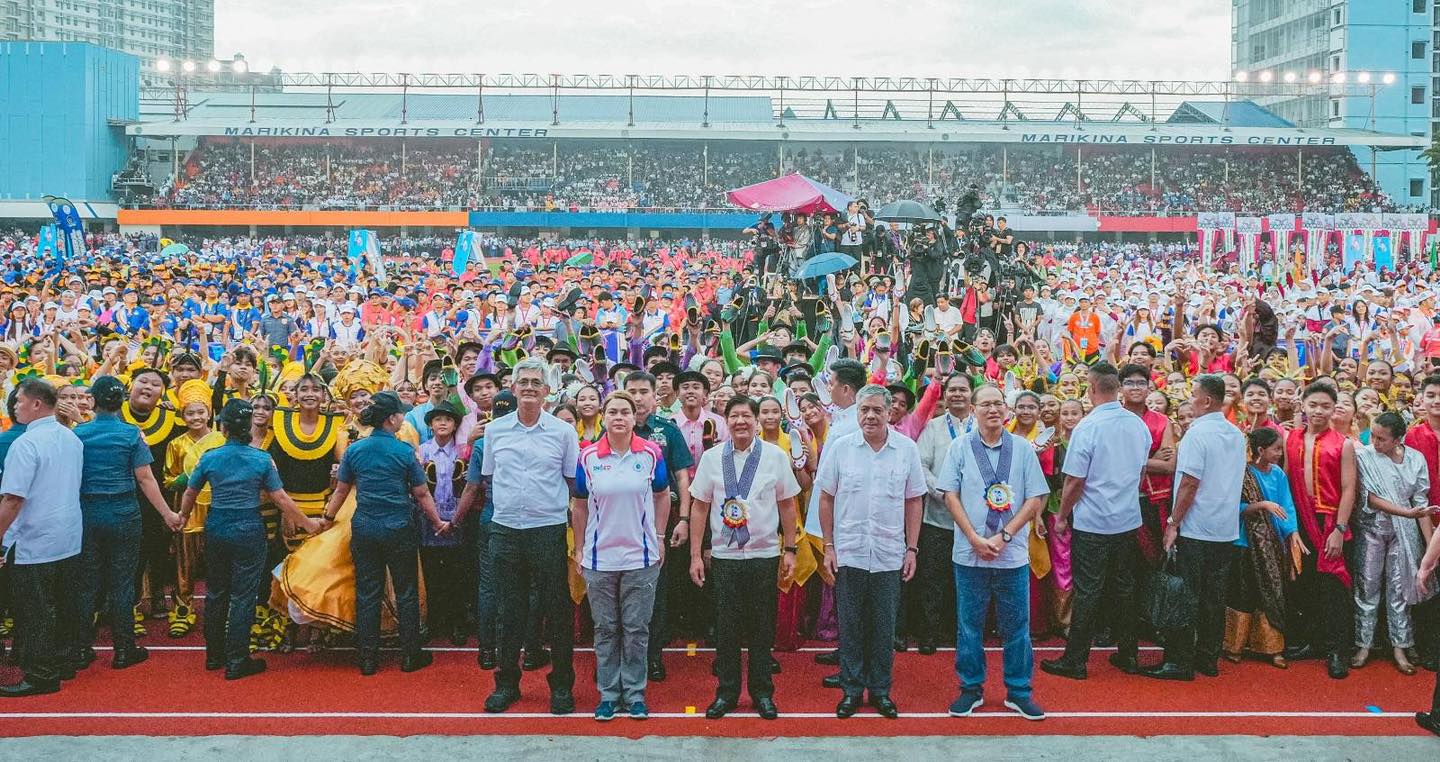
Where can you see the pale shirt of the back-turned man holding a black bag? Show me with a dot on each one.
(1215, 453)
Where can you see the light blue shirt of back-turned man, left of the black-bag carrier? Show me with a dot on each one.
(1108, 450)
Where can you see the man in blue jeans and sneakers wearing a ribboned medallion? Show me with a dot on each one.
(994, 489)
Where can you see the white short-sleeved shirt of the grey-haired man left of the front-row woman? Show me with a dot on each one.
(529, 469)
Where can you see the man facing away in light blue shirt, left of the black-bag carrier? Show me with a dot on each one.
(1104, 463)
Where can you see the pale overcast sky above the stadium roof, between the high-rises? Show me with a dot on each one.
(922, 38)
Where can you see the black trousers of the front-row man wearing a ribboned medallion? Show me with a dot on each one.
(747, 601)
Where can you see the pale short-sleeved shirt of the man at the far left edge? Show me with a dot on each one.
(44, 469)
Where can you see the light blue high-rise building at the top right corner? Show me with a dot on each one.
(1356, 64)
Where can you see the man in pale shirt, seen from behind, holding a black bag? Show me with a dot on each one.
(1203, 531)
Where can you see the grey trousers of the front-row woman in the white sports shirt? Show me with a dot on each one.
(621, 604)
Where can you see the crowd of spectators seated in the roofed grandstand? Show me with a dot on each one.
(595, 176)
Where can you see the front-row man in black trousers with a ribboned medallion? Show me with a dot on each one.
(747, 492)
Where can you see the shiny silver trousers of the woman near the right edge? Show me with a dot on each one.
(1380, 571)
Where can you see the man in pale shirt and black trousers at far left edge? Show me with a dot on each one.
(41, 509)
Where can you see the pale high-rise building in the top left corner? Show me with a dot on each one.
(149, 30)
